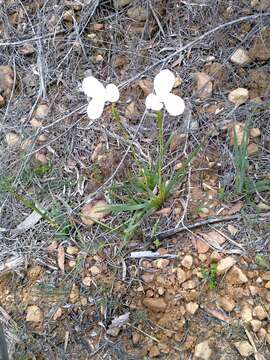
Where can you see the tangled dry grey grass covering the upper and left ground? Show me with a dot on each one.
(183, 38)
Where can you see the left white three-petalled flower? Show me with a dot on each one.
(98, 95)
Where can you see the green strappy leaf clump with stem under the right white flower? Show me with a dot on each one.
(143, 194)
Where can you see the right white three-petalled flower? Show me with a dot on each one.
(163, 85)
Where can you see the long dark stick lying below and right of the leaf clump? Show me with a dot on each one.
(214, 220)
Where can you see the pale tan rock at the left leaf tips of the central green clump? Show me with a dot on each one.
(93, 211)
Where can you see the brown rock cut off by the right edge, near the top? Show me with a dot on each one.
(260, 48)
